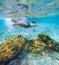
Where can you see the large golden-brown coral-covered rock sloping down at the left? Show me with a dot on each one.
(10, 49)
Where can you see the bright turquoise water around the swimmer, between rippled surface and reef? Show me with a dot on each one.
(46, 25)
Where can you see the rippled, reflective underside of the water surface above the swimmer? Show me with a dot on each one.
(35, 8)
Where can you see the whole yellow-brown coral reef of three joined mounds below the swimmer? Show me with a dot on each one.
(15, 45)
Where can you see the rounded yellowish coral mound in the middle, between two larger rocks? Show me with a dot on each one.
(35, 46)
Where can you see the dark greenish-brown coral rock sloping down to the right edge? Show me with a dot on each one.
(52, 44)
